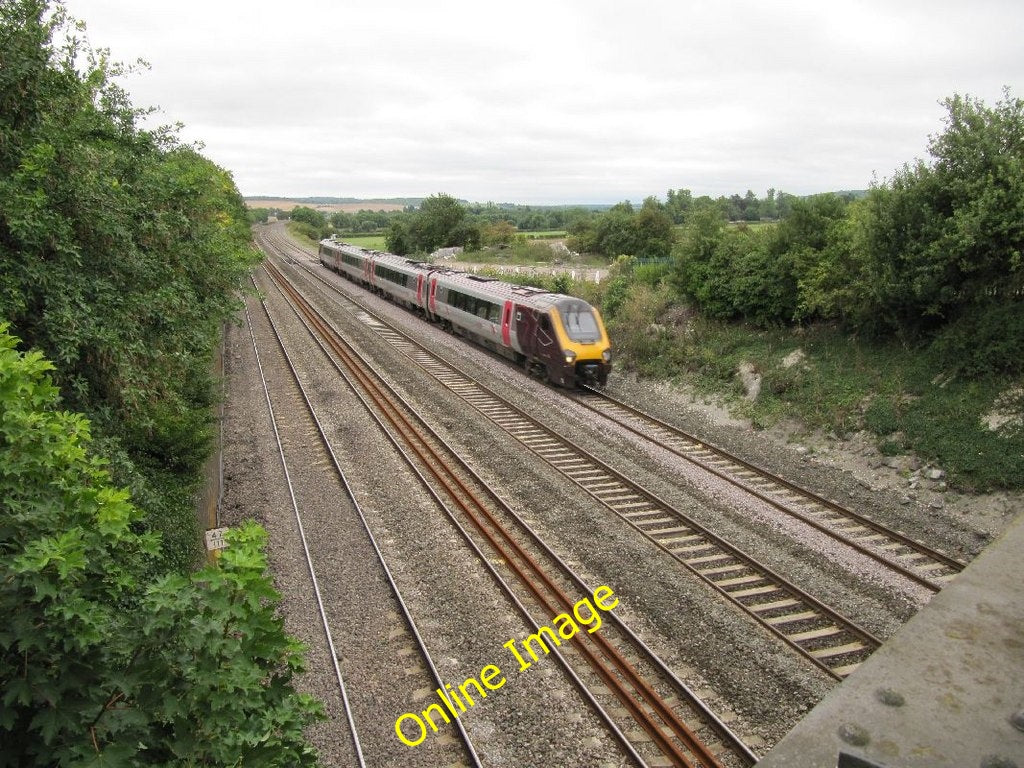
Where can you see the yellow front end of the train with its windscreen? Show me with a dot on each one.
(586, 350)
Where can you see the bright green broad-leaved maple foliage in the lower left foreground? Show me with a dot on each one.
(100, 663)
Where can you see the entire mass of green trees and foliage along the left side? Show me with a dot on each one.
(122, 252)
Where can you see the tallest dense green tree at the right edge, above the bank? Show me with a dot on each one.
(940, 244)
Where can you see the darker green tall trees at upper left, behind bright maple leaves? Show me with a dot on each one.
(121, 251)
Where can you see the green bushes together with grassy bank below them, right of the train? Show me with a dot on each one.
(907, 303)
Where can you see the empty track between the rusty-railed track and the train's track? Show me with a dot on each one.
(821, 634)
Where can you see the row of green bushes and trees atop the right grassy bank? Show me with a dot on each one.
(935, 250)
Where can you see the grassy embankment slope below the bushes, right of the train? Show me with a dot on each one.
(904, 396)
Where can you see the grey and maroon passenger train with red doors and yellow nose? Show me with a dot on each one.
(552, 336)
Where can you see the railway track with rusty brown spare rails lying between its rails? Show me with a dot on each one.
(646, 706)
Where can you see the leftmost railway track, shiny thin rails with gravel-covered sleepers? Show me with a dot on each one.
(302, 433)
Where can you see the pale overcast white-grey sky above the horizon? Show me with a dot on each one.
(558, 102)
